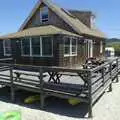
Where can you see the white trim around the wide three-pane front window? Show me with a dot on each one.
(32, 55)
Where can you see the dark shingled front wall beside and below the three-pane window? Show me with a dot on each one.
(42, 61)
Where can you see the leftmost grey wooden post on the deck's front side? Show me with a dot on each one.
(12, 85)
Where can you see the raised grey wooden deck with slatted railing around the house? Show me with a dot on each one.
(84, 84)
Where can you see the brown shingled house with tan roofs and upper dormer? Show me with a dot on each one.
(58, 24)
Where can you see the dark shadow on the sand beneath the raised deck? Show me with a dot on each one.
(52, 104)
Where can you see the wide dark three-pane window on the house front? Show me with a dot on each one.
(37, 47)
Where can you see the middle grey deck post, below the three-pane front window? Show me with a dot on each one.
(41, 89)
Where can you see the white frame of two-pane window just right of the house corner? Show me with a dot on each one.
(70, 47)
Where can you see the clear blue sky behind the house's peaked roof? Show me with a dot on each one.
(14, 12)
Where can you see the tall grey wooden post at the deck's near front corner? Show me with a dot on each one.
(90, 115)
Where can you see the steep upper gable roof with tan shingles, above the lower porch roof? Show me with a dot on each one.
(75, 23)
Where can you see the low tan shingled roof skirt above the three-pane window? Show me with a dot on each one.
(36, 31)
